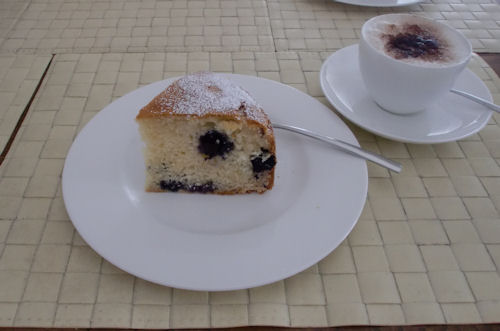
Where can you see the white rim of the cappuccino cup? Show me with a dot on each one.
(443, 25)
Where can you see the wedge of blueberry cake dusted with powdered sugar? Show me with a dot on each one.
(205, 134)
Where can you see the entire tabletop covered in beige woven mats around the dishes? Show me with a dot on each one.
(426, 249)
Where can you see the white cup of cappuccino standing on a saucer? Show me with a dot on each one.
(409, 85)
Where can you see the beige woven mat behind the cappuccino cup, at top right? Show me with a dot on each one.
(329, 25)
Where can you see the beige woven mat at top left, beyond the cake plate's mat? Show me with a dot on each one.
(137, 26)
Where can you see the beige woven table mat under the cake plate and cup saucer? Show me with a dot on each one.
(425, 250)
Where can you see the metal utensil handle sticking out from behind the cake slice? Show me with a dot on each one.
(345, 146)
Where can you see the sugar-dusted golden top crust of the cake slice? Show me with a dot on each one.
(204, 93)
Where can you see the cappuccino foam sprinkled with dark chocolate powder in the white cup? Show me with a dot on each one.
(416, 40)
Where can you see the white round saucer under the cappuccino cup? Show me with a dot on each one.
(452, 118)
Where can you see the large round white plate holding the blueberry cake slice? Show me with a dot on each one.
(210, 242)
